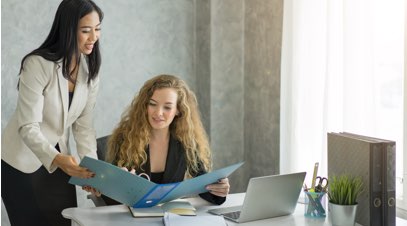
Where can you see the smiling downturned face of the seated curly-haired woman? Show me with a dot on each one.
(162, 108)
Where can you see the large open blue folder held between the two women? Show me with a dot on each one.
(139, 192)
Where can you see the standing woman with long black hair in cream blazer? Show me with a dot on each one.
(57, 89)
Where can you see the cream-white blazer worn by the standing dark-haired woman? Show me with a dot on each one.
(41, 119)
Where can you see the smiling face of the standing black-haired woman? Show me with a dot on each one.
(88, 32)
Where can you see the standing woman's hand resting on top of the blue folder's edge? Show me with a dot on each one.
(69, 165)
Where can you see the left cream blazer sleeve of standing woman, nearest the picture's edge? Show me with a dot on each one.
(33, 80)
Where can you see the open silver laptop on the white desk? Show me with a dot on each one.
(266, 197)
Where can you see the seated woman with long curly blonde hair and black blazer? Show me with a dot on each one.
(161, 135)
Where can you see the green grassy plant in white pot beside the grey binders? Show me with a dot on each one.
(343, 192)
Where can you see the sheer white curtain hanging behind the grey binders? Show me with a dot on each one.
(342, 70)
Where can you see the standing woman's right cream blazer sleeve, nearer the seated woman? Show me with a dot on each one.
(82, 129)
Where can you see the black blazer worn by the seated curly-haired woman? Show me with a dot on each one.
(175, 169)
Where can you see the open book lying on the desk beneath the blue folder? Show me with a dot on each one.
(179, 206)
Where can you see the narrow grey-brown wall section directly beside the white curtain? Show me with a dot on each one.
(263, 38)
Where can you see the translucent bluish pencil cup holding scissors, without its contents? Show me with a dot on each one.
(315, 204)
